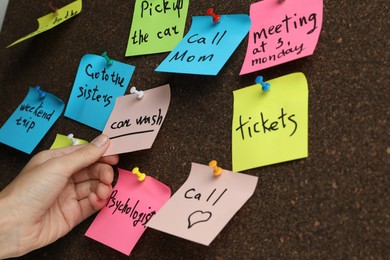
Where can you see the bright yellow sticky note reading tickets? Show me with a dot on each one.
(272, 126)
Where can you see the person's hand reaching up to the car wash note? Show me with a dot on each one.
(55, 191)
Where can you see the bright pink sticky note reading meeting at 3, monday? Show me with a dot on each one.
(282, 32)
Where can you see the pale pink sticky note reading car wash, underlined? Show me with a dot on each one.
(134, 123)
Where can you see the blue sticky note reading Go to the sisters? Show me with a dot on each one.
(95, 89)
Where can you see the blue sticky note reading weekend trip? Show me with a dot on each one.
(31, 120)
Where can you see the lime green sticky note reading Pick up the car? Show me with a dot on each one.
(157, 26)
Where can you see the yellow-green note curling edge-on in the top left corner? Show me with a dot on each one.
(53, 19)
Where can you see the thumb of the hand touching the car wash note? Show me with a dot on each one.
(84, 156)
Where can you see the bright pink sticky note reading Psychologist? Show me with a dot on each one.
(131, 205)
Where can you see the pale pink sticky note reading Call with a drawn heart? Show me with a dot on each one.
(204, 204)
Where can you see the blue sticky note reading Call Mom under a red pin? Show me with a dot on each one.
(208, 45)
